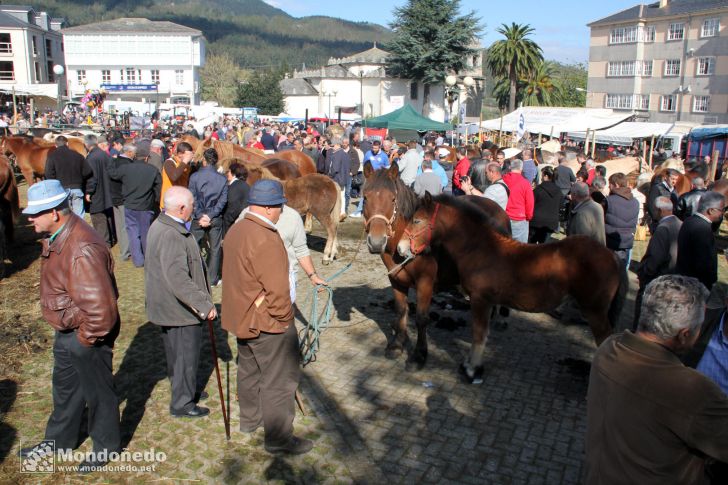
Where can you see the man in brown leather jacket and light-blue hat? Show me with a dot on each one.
(78, 299)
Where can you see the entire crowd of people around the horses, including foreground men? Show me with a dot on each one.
(164, 211)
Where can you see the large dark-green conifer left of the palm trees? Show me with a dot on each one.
(430, 41)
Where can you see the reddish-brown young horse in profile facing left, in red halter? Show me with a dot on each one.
(496, 270)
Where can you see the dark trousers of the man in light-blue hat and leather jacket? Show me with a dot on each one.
(83, 378)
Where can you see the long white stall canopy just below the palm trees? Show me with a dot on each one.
(553, 121)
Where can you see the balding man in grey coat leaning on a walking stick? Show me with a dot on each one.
(178, 297)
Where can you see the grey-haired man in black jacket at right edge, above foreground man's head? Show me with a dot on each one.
(696, 251)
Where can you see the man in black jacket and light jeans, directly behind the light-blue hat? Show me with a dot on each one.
(70, 168)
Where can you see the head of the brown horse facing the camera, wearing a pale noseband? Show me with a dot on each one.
(380, 205)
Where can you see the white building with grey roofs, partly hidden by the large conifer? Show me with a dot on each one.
(359, 84)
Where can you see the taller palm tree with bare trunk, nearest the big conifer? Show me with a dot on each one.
(514, 57)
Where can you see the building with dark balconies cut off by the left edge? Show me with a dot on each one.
(30, 45)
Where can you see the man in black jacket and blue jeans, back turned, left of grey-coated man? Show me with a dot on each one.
(141, 186)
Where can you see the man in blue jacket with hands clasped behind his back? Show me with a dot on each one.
(209, 189)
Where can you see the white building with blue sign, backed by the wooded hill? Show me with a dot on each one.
(135, 59)
